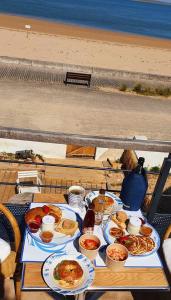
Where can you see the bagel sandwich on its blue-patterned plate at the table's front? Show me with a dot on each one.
(68, 274)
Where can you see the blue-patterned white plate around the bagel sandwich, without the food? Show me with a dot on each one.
(51, 262)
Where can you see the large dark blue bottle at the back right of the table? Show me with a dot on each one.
(134, 187)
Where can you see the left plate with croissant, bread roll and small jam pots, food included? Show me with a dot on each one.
(53, 225)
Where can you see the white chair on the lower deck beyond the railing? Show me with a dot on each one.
(25, 179)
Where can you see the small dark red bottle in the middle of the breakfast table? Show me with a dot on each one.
(89, 220)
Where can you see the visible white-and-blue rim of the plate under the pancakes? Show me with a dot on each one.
(110, 240)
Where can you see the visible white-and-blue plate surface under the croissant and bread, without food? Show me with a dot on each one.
(59, 238)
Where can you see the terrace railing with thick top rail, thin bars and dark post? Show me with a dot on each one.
(97, 141)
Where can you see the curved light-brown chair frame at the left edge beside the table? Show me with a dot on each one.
(8, 266)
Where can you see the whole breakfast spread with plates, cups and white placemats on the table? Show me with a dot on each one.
(71, 250)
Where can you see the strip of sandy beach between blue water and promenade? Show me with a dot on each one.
(62, 43)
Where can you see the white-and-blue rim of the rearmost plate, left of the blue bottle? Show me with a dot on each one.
(117, 201)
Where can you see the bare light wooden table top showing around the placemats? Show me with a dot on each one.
(126, 279)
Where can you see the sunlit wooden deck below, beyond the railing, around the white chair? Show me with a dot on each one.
(51, 175)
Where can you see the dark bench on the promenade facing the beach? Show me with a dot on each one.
(78, 78)
